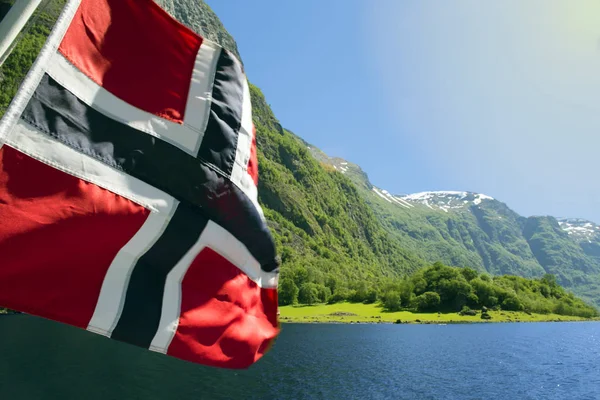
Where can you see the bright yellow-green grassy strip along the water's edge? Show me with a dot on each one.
(374, 313)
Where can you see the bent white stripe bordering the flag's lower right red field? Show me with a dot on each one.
(220, 240)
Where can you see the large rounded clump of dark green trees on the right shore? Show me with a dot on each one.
(450, 289)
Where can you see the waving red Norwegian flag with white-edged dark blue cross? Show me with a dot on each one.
(128, 189)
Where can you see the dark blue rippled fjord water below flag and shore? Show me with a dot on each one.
(40, 359)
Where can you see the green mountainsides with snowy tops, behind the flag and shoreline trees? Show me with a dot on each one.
(340, 237)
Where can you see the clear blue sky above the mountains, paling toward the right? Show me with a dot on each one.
(497, 97)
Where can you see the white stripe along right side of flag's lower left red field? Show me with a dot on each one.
(114, 287)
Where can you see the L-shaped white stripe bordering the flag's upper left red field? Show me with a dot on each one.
(187, 137)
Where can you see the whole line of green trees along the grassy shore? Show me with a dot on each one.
(448, 289)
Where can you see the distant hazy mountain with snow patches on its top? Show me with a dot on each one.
(472, 229)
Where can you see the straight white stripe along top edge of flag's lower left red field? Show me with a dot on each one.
(44, 148)
